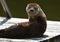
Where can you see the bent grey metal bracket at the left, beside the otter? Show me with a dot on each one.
(6, 10)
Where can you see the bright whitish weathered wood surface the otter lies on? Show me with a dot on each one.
(51, 34)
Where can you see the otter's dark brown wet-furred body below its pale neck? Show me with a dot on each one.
(34, 28)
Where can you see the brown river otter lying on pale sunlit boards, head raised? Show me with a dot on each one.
(35, 27)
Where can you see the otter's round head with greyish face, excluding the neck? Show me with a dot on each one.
(33, 8)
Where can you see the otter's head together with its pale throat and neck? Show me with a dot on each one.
(33, 9)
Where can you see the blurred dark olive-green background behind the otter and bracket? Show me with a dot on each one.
(17, 8)
